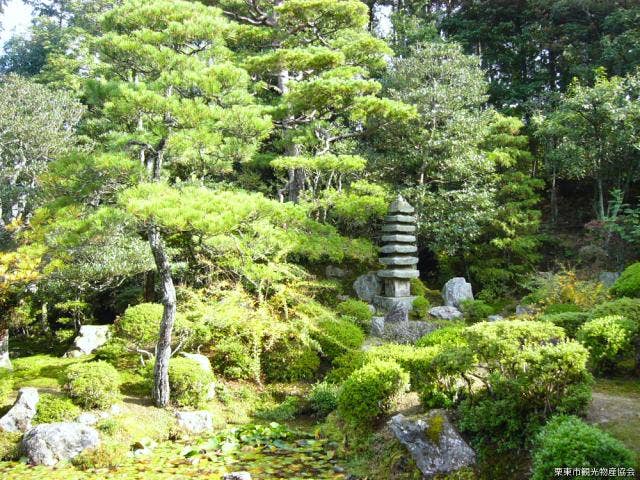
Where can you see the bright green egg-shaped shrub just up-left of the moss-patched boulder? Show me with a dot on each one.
(368, 392)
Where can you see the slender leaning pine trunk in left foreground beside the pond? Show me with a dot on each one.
(161, 387)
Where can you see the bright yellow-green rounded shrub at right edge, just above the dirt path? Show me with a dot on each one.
(608, 339)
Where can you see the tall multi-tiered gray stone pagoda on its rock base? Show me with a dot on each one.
(398, 256)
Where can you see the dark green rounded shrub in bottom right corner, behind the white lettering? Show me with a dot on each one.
(568, 442)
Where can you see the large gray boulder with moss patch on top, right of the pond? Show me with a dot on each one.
(434, 444)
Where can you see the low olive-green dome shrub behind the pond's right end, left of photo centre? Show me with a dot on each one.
(290, 361)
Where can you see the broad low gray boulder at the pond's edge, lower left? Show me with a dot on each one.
(50, 443)
